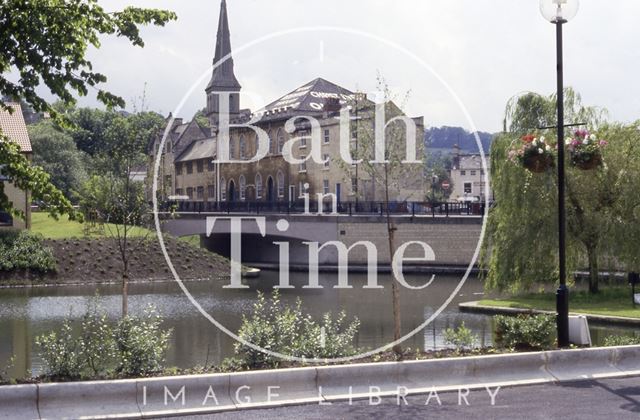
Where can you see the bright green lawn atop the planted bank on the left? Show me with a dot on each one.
(64, 228)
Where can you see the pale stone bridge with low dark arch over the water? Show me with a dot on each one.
(453, 239)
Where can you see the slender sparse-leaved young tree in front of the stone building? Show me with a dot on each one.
(393, 181)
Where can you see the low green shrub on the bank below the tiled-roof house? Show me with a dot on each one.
(22, 250)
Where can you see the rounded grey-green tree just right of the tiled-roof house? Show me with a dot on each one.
(55, 152)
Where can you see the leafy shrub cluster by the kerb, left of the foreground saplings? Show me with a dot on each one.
(135, 346)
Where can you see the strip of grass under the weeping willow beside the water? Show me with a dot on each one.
(612, 301)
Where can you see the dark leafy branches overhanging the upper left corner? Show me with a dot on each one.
(45, 42)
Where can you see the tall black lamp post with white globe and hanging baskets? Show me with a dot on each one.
(560, 12)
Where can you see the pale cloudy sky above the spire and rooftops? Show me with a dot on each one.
(455, 62)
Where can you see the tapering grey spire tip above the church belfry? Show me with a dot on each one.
(223, 77)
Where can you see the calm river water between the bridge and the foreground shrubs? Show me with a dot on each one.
(29, 312)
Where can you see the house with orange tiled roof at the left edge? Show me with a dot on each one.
(12, 125)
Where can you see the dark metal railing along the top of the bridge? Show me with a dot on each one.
(350, 208)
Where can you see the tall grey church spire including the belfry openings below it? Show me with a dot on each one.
(223, 79)
